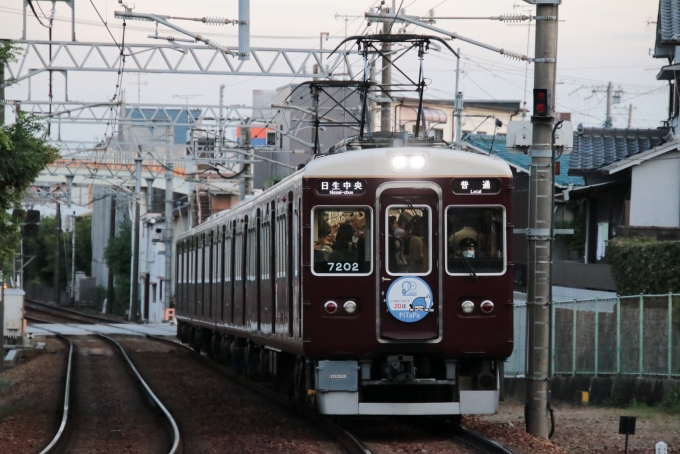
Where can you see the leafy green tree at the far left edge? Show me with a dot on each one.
(23, 154)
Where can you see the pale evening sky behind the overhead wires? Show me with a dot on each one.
(599, 42)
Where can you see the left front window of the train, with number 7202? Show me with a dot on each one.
(341, 240)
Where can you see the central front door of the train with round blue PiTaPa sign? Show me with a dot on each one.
(409, 256)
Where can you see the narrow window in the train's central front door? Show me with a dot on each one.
(408, 246)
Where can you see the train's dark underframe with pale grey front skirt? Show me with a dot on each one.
(383, 384)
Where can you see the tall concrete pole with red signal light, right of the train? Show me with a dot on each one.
(540, 221)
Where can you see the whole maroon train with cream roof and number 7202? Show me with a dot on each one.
(373, 281)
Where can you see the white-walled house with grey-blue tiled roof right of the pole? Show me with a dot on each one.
(629, 183)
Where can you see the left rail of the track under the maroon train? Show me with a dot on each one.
(352, 444)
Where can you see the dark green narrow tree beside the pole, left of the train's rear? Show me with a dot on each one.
(118, 255)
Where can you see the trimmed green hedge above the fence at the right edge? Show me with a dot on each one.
(644, 265)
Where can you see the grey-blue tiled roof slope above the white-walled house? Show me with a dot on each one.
(595, 148)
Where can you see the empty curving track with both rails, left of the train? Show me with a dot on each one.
(107, 404)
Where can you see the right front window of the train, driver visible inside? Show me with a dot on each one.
(475, 240)
